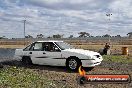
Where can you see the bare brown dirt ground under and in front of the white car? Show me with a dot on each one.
(61, 76)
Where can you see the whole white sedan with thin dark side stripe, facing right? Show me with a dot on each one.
(58, 53)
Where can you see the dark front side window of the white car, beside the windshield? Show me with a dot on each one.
(49, 46)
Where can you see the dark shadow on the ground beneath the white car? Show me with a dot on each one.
(40, 67)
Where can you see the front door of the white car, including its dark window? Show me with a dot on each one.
(53, 54)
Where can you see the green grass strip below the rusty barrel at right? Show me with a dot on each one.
(118, 58)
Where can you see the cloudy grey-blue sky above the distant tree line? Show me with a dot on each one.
(67, 17)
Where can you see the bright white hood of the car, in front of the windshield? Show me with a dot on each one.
(81, 51)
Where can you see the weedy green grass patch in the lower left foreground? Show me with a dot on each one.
(16, 77)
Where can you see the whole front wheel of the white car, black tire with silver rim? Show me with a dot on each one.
(73, 64)
